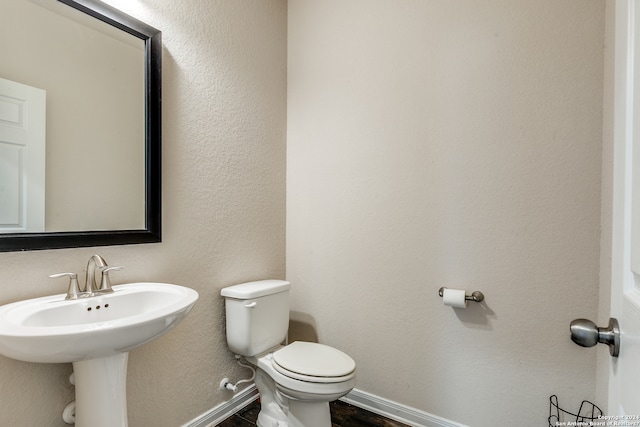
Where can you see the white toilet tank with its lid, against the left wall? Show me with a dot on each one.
(257, 315)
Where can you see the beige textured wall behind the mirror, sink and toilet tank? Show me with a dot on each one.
(224, 117)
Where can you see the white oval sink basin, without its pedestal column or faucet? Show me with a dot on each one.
(54, 330)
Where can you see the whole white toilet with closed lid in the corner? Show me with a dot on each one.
(297, 381)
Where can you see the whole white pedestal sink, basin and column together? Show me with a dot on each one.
(95, 334)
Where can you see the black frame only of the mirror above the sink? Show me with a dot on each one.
(153, 147)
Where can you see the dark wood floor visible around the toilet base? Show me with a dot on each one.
(342, 415)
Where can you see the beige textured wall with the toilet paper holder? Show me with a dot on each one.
(450, 144)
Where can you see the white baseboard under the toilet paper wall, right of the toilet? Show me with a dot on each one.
(396, 411)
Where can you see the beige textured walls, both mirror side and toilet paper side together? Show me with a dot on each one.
(430, 143)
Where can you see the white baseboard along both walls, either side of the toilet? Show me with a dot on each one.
(359, 398)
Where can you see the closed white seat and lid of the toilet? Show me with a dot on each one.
(313, 362)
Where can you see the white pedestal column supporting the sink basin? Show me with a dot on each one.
(101, 391)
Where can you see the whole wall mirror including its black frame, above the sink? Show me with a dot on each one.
(99, 73)
